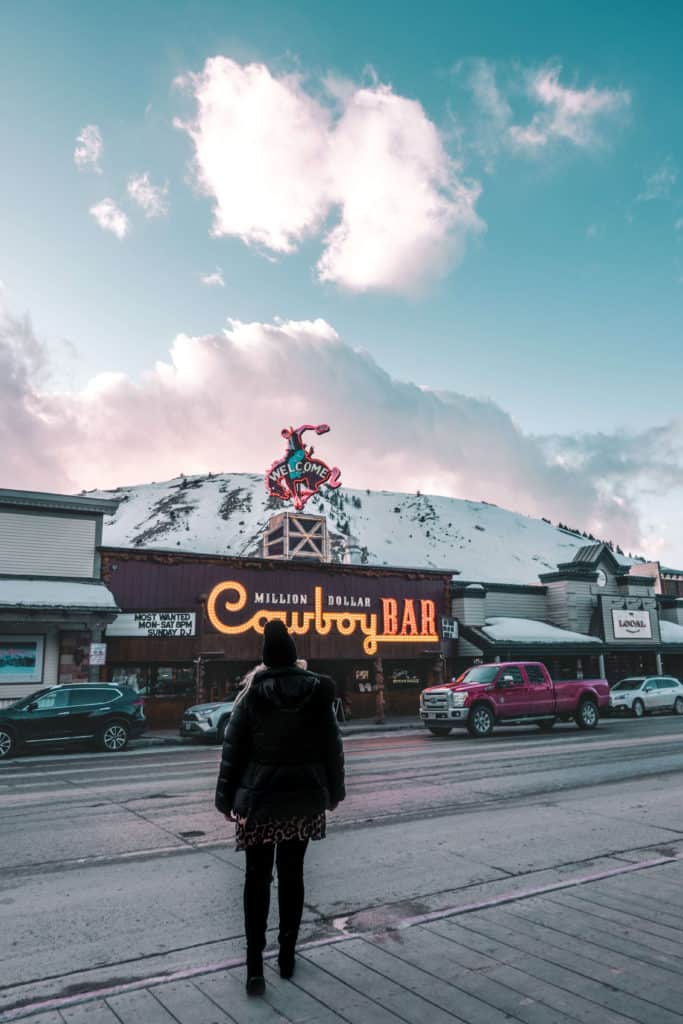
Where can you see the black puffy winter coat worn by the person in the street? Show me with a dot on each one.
(283, 754)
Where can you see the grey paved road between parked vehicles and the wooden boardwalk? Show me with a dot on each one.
(116, 869)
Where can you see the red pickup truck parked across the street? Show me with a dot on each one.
(511, 694)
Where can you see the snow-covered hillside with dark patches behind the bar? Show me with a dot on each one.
(227, 514)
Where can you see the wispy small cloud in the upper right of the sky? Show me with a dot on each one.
(572, 115)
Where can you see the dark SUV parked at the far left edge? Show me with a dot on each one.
(106, 713)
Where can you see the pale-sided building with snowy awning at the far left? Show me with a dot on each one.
(53, 603)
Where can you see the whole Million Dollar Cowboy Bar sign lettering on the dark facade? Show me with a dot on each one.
(323, 612)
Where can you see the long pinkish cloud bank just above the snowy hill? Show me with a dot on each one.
(389, 434)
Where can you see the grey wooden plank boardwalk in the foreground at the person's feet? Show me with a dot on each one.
(609, 952)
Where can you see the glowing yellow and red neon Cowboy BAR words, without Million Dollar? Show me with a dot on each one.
(405, 621)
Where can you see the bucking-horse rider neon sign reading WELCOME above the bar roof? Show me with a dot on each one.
(298, 476)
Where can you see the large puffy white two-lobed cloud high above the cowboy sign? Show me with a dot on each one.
(279, 162)
